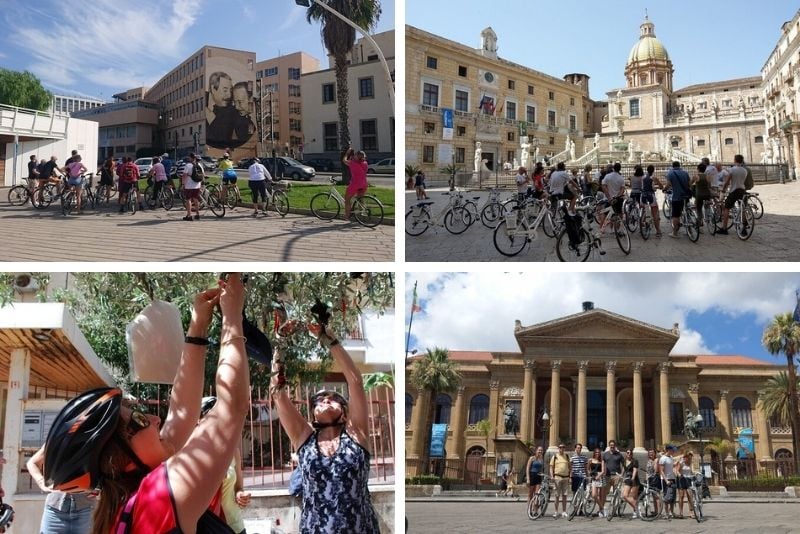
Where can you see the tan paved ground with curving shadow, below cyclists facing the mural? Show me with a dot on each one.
(157, 235)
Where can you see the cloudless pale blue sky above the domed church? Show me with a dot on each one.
(706, 40)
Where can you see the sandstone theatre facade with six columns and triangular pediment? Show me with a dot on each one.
(598, 376)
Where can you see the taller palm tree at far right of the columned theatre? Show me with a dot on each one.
(783, 335)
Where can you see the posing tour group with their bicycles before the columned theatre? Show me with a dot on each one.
(609, 482)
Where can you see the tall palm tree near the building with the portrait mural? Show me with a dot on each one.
(339, 39)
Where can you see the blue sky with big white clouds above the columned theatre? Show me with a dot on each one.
(718, 313)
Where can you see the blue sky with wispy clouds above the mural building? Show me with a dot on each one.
(102, 47)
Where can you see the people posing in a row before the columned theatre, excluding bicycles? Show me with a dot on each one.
(604, 470)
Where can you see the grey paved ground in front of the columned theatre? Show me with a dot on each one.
(724, 518)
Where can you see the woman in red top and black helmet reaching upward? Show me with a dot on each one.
(163, 480)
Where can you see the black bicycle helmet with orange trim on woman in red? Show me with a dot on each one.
(78, 435)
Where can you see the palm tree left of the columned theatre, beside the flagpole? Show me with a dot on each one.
(434, 373)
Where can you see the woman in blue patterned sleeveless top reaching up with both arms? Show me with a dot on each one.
(333, 458)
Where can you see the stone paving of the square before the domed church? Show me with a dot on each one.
(776, 238)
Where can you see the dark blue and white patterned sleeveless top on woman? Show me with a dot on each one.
(335, 494)
